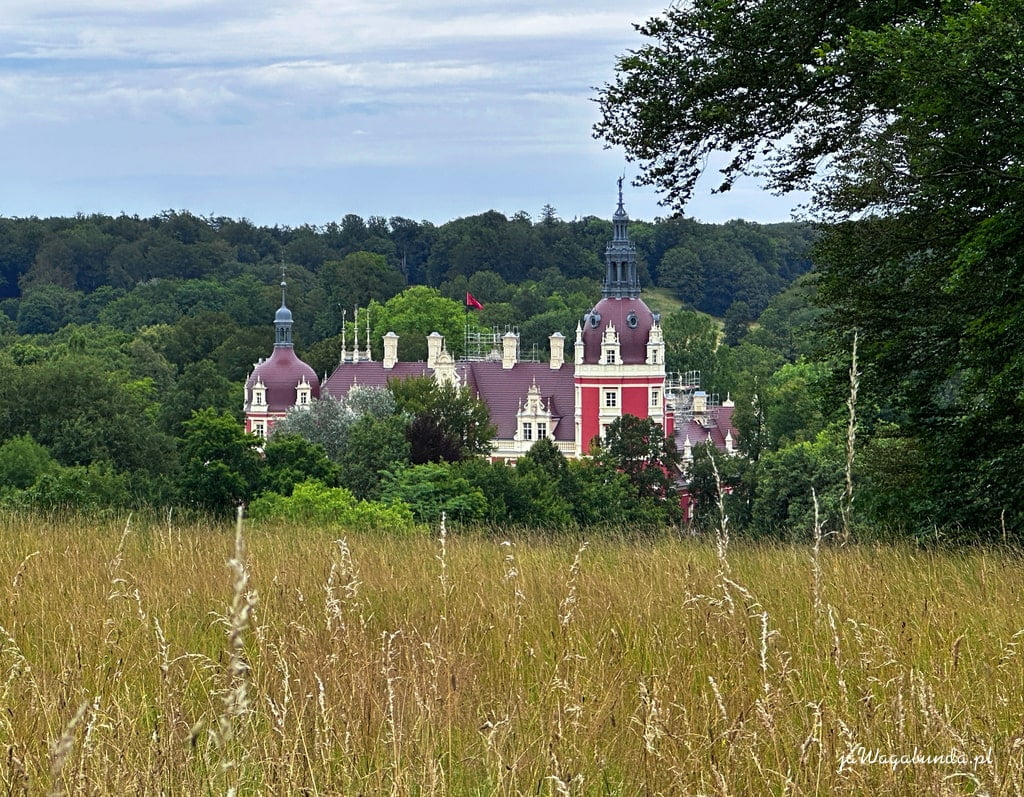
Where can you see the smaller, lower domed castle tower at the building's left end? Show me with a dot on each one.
(283, 382)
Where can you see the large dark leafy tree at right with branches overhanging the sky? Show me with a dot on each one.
(914, 108)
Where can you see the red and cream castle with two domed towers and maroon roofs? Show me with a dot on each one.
(617, 367)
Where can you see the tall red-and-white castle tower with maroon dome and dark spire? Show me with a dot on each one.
(620, 349)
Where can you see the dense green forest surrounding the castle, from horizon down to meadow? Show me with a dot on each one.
(124, 344)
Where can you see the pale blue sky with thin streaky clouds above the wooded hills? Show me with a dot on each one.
(303, 112)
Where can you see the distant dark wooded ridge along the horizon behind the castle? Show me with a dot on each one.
(113, 270)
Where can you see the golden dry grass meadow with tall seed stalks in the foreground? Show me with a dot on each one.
(151, 658)
